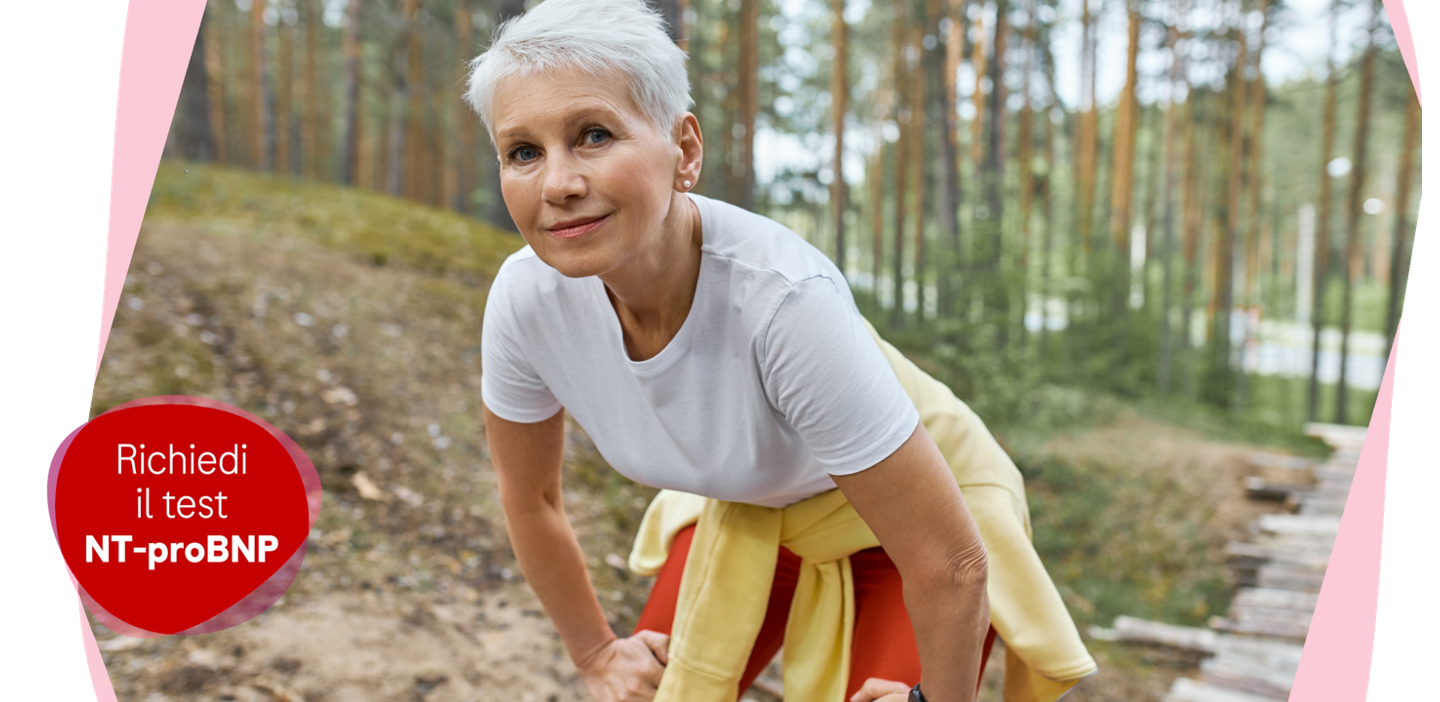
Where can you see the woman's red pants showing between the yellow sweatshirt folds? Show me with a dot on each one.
(883, 644)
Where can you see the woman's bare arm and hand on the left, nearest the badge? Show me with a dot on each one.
(528, 461)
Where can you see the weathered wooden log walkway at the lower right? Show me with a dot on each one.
(1254, 654)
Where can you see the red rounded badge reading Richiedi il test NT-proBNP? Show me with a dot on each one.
(181, 514)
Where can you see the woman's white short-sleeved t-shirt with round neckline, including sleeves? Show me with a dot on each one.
(771, 386)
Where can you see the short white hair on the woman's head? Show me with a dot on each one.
(597, 37)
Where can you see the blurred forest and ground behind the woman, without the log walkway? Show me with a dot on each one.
(1148, 241)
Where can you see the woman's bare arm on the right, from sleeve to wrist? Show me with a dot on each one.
(914, 506)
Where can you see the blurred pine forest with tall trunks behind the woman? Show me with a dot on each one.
(1202, 202)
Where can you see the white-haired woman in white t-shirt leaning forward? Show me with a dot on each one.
(712, 352)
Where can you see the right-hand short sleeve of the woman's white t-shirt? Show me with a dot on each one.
(824, 372)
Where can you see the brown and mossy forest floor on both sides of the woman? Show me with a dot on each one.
(335, 317)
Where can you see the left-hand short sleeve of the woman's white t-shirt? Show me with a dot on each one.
(509, 383)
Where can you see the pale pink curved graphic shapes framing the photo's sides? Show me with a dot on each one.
(156, 48)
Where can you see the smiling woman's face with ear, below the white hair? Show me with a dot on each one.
(588, 181)
